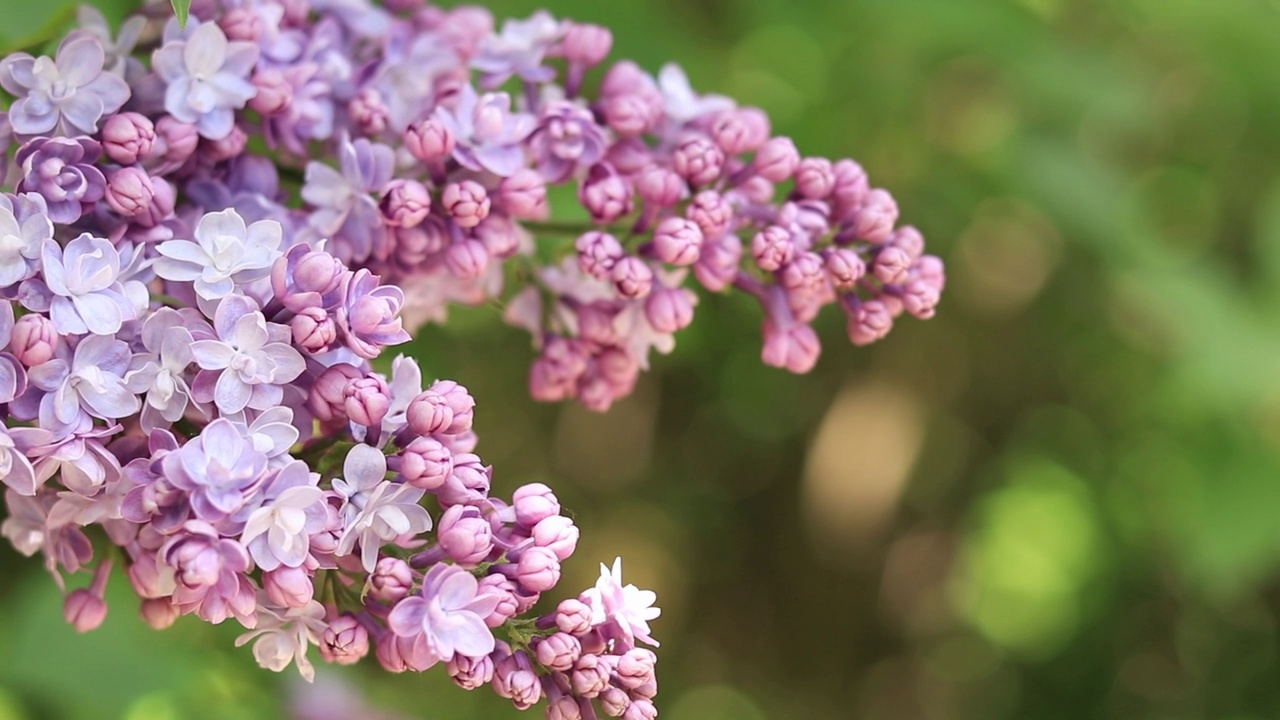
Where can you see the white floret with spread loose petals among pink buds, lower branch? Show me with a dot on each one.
(374, 511)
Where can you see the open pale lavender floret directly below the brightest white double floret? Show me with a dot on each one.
(252, 358)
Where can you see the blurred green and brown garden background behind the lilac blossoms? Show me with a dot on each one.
(1060, 499)
